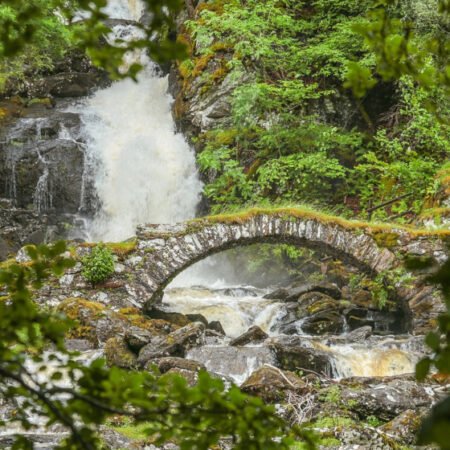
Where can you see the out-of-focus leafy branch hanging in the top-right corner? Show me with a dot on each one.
(407, 38)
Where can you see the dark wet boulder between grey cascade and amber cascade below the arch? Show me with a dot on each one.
(297, 357)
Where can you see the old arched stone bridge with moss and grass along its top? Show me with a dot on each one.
(163, 251)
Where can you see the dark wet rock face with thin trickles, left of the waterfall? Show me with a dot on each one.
(40, 167)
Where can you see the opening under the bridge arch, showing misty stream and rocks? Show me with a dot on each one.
(283, 289)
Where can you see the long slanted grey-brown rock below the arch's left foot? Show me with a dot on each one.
(174, 344)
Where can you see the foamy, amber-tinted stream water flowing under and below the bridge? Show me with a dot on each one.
(239, 308)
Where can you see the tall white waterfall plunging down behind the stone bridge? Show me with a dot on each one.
(143, 170)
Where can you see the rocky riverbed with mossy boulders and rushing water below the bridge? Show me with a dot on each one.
(322, 353)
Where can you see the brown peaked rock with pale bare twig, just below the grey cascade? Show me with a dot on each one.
(270, 383)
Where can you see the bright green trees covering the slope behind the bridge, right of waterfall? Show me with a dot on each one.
(282, 144)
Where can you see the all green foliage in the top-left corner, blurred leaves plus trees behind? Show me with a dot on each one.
(28, 29)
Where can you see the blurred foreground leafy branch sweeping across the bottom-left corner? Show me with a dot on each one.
(82, 397)
